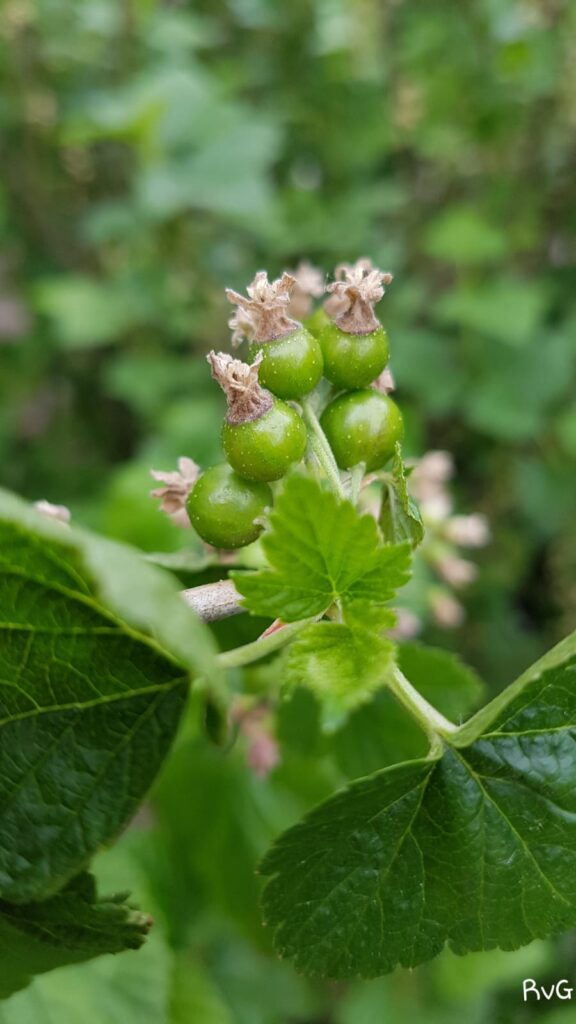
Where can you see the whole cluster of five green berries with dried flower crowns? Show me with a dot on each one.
(335, 359)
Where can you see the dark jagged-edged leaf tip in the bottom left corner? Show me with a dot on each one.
(69, 928)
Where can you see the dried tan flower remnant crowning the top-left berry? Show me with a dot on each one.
(265, 313)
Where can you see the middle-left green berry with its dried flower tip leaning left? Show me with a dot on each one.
(263, 438)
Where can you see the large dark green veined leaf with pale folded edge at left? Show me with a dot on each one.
(97, 652)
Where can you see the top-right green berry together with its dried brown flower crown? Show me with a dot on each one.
(355, 348)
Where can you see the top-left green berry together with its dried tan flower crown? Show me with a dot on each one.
(292, 358)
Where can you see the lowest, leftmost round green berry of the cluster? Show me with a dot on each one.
(223, 507)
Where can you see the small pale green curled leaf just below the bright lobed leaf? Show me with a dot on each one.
(342, 664)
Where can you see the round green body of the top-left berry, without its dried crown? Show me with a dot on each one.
(292, 366)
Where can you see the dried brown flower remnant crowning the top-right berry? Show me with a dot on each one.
(357, 290)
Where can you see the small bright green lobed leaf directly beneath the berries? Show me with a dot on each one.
(320, 550)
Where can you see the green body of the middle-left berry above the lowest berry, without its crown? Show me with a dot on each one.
(264, 448)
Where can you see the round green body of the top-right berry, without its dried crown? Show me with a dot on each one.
(354, 361)
